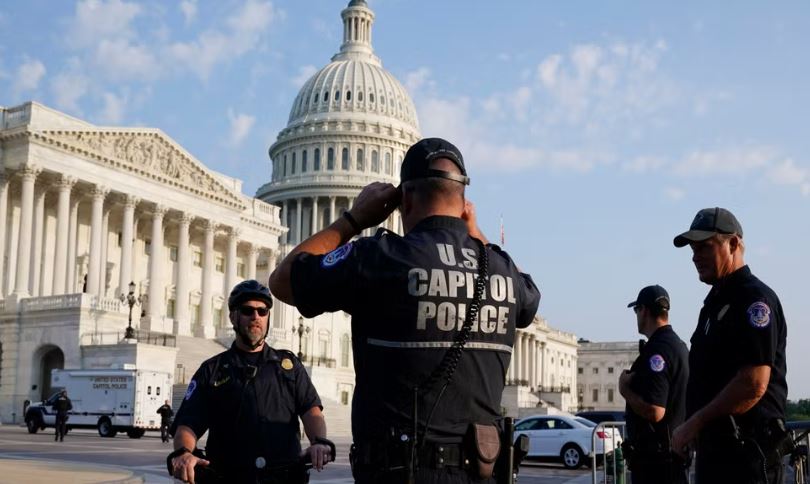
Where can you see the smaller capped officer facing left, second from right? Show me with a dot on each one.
(655, 391)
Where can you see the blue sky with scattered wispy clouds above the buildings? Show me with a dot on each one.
(596, 129)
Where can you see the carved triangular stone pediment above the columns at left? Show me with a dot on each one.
(149, 153)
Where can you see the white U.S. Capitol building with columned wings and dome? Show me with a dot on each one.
(88, 213)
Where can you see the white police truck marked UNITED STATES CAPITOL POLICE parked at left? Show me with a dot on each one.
(111, 401)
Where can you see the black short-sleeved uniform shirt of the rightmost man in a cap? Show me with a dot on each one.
(741, 324)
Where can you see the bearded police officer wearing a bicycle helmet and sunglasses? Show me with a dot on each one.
(249, 399)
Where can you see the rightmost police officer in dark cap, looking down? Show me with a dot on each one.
(737, 391)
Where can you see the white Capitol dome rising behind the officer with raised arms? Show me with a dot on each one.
(350, 124)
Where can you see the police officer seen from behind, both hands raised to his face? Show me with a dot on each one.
(409, 297)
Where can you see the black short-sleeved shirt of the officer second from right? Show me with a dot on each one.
(660, 374)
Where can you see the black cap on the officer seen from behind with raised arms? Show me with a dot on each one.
(417, 160)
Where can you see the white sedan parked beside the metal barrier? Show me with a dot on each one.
(565, 439)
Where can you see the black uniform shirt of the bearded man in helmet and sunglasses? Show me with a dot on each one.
(250, 404)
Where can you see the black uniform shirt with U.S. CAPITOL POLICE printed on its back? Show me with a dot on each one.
(408, 297)
